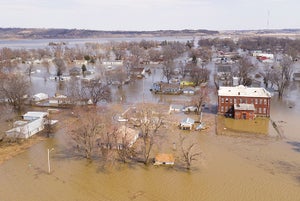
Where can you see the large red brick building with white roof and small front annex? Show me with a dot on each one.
(243, 102)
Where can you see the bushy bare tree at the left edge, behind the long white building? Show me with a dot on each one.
(14, 88)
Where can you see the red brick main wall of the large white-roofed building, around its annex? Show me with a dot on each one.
(261, 105)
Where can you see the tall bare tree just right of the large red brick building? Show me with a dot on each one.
(281, 75)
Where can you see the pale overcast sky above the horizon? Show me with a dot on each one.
(150, 15)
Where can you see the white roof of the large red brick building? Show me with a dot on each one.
(244, 91)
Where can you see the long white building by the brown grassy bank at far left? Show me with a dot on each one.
(32, 123)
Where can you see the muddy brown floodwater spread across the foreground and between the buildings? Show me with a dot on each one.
(252, 167)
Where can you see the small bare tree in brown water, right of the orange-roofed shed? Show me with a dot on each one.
(189, 152)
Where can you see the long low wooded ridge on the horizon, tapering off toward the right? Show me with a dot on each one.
(27, 33)
